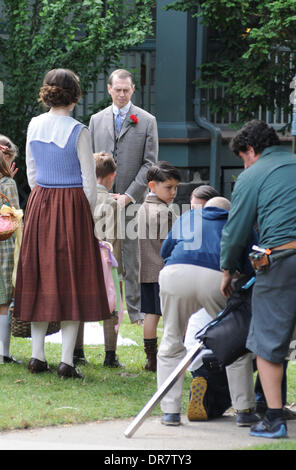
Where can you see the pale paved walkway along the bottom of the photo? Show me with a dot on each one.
(222, 434)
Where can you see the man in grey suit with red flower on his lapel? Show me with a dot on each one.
(130, 134)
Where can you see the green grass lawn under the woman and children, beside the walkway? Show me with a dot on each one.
(34, 400)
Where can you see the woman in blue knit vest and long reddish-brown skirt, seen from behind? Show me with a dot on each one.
(60, 276)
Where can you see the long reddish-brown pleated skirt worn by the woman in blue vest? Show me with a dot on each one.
(60, 275)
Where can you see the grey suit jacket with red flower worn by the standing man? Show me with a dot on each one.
(134, 151)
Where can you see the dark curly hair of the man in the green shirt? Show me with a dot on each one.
(256, 134)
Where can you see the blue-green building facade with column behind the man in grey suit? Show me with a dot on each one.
(166, 68)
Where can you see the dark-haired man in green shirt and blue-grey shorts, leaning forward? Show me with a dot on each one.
(265, 194)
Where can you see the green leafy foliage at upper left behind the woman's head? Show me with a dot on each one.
(86, 36)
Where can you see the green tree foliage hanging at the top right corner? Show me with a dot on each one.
(252, 53)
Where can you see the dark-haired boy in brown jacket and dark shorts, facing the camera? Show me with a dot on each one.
(155, 219)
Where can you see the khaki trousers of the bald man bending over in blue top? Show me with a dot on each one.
(185, 289)
